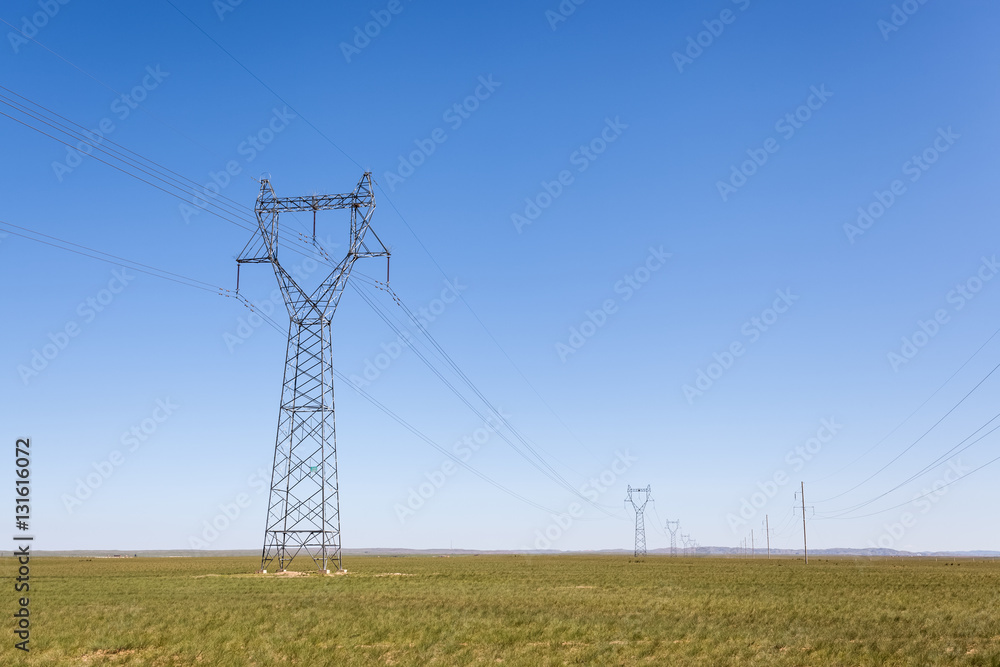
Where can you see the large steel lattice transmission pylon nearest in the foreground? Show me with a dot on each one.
(303, 512)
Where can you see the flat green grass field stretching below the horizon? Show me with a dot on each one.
(514, 610)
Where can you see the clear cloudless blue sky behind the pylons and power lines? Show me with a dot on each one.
(674, 127)
